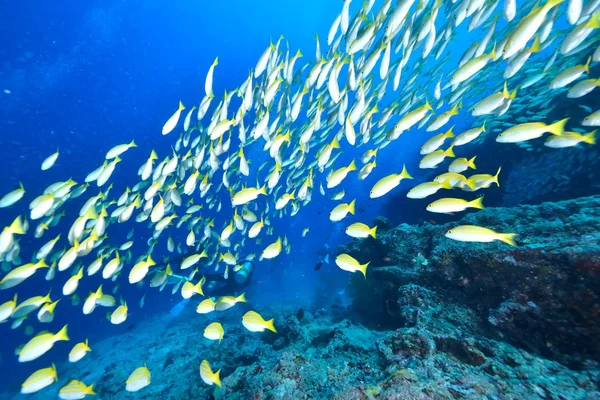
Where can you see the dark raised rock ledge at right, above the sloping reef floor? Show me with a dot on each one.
(542, 296)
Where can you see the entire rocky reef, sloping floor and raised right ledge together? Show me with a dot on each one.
(434, 319)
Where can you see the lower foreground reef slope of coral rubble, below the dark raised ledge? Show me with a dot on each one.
(323, 355)
